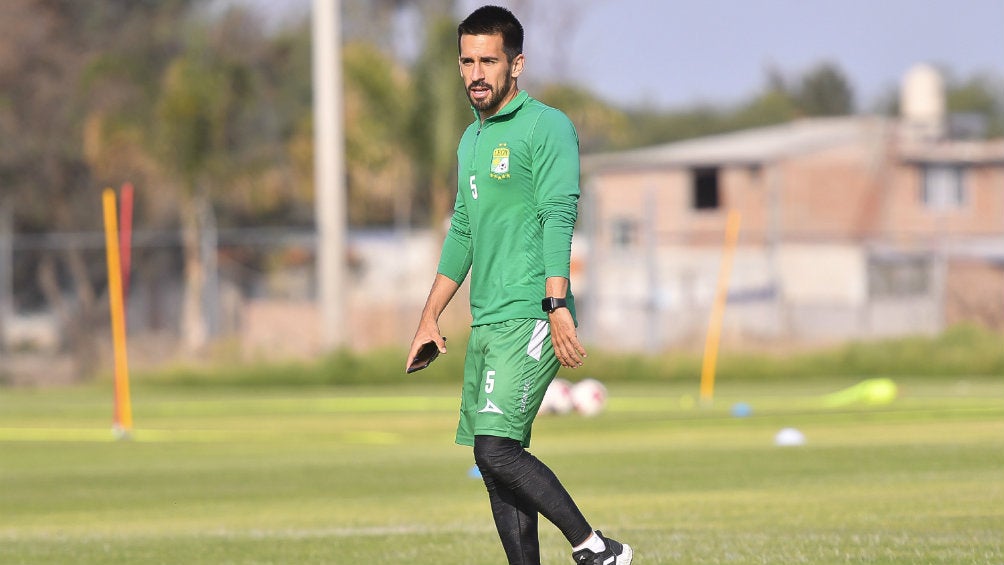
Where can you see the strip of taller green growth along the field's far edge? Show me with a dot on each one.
(962, 351)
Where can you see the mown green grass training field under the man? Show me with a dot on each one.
(371, 476)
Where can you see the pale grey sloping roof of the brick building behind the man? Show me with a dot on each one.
(749, 147)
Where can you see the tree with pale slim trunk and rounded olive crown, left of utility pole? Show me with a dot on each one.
(204, 138)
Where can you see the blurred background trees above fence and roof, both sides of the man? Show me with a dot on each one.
(164, 91)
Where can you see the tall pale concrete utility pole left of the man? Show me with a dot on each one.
(330, 176)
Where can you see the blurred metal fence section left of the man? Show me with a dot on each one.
(260, 295)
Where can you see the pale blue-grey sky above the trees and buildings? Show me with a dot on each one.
(672, 54)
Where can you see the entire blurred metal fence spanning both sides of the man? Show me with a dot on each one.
(261, 293)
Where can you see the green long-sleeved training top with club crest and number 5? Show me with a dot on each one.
(517, 205)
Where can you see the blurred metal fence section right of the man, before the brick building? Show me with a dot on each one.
(658, 295)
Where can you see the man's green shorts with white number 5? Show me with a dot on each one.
(507, 373)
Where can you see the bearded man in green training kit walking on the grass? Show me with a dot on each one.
(512, 229)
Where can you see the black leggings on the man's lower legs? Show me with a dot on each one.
(521, 487)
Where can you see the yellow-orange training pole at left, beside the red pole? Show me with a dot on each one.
(123, 408)
